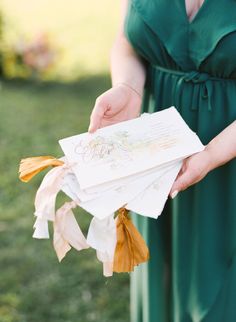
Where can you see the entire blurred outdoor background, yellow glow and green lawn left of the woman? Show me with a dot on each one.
(54, 62)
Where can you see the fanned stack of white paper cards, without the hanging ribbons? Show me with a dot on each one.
(132, 164)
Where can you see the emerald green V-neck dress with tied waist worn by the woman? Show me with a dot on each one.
(191, 275)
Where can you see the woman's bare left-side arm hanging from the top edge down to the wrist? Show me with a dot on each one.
(126, 66)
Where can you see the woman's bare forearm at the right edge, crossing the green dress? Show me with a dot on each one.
(223, 147)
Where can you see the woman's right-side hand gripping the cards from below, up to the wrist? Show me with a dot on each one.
(194, 169)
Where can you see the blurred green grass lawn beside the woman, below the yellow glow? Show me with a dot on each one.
(34, 287)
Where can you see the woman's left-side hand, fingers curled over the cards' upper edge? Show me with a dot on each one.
(120, 103)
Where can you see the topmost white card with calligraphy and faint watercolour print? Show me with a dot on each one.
(130, 147)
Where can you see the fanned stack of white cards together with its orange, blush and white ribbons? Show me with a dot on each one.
(131, 165)
